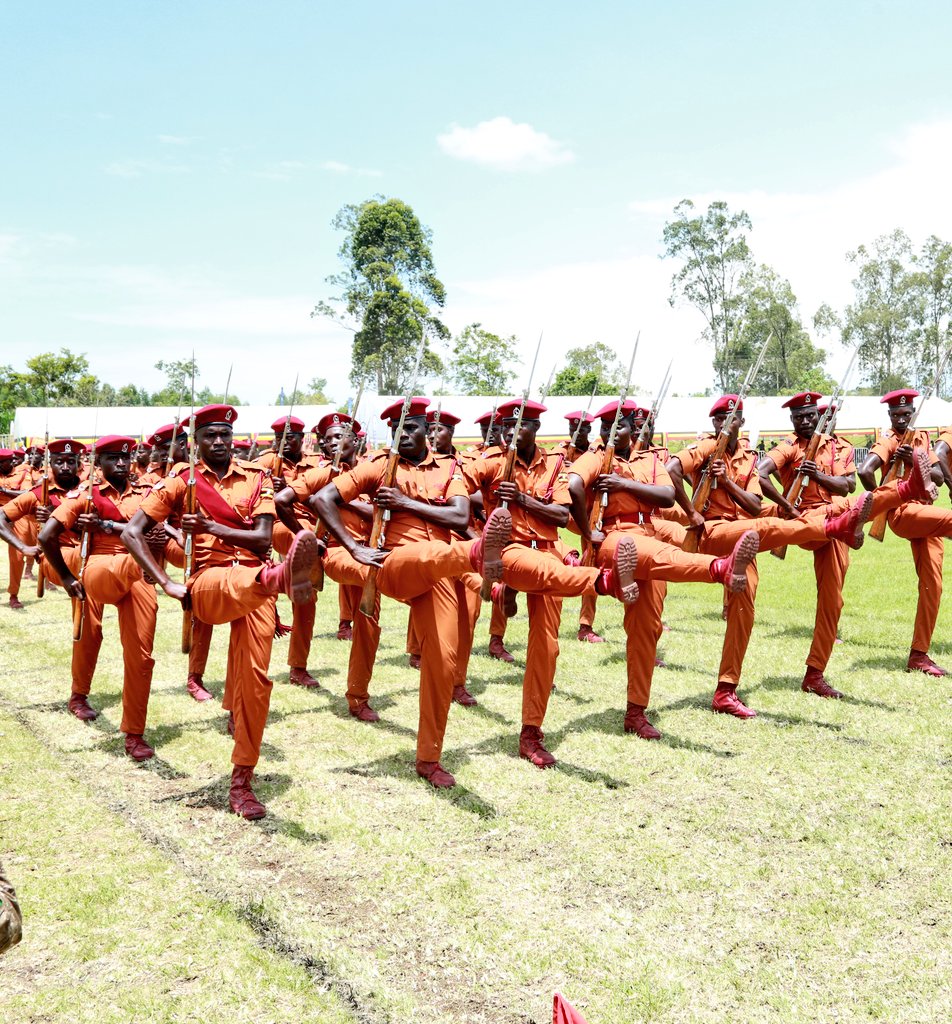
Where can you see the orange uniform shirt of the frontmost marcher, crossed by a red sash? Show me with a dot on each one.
(243, 487)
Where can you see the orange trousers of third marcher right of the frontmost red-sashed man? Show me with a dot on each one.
(659, 564)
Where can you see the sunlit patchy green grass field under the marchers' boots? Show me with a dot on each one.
(796, 868)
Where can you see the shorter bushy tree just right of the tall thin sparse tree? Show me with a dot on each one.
(792, 363)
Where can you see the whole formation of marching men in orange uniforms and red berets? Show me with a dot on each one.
(443, 531)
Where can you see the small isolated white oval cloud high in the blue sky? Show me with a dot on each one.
(505, 145)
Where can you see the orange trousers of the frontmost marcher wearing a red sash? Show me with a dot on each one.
(233, 594)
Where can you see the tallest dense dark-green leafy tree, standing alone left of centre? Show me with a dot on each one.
(388, 291)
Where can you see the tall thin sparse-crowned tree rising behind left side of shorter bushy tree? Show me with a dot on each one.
(714, 252)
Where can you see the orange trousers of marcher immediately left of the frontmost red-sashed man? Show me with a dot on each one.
(118, 580)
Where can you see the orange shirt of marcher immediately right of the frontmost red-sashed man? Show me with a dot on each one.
(435, 482)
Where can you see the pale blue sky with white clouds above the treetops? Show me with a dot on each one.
(170, 170)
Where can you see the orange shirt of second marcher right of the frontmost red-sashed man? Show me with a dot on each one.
(544, 479)
